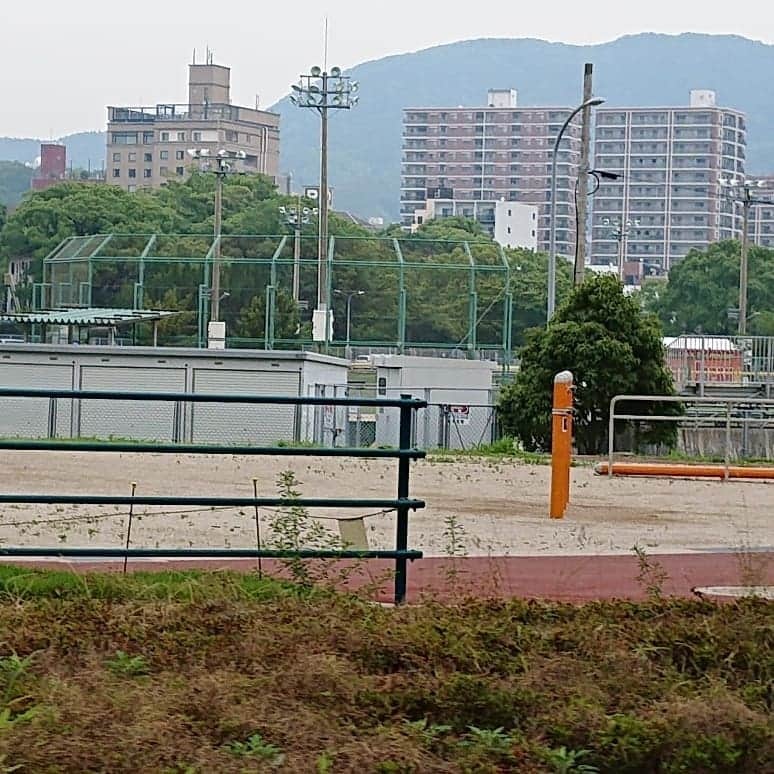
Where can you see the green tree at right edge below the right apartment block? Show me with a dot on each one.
(704, 286)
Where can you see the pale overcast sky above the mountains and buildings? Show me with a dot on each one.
(63, 62)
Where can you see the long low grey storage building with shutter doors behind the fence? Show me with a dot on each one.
(162, 370)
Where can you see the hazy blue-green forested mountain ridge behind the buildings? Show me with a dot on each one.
(646, 69)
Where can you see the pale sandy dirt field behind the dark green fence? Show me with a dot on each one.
(502, 505)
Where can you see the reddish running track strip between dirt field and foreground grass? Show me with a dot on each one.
(561, 578)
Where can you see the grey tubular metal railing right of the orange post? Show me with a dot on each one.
(725, 418)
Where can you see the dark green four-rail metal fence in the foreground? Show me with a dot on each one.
(402, 504)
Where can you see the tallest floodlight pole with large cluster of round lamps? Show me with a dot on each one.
(323, 91)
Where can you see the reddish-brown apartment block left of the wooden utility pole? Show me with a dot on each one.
(499, 152)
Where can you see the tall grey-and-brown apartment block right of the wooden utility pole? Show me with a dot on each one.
(668, 199)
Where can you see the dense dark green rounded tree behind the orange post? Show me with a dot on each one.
(611, 347)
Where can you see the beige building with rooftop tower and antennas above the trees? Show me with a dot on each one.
(146, 146)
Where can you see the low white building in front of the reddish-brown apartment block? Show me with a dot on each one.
(509, 223)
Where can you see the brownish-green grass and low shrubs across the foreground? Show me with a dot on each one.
(217, 672)
